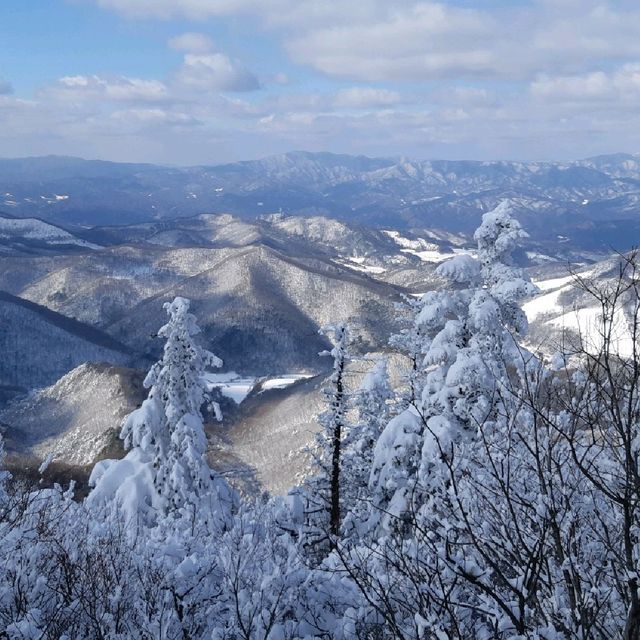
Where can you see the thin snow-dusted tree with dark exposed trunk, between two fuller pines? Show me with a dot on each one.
(323, 493)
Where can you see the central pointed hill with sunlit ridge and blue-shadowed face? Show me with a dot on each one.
(261, 310)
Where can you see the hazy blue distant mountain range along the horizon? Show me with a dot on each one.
(592, 203)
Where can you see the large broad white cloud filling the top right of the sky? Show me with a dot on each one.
(418, 40)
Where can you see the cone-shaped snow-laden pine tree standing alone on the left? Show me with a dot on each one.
(166, 470)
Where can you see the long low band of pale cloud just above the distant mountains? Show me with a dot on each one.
(209, 128)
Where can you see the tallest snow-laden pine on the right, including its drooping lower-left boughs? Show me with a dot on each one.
(468, 335)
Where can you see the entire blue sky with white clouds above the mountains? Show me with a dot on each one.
(206, 81)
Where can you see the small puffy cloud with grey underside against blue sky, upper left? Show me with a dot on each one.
(217, 72)
